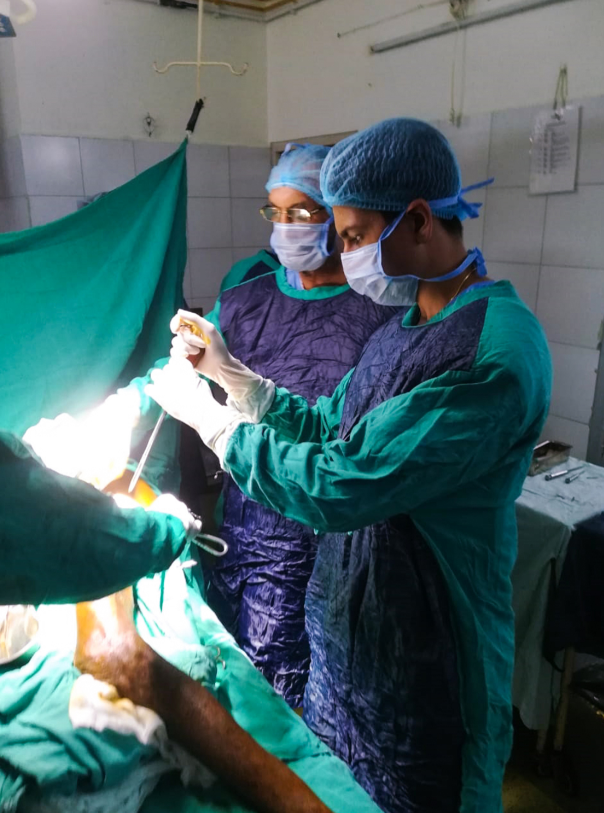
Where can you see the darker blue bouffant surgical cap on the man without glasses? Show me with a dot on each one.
(390, 164)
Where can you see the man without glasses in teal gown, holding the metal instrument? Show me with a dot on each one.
(411, 471)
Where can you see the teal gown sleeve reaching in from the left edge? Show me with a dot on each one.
(63, 541)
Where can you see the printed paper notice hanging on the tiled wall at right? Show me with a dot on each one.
(554, 152)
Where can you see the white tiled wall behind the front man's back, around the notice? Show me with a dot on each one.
(550, 247)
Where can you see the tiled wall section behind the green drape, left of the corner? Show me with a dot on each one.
(42, 179)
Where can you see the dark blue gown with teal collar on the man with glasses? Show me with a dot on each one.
(305, 341)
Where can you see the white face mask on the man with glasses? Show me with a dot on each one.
(301, 246)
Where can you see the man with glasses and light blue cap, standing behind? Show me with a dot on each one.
(287, 315)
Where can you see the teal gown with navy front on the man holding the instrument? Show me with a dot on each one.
(428, 439)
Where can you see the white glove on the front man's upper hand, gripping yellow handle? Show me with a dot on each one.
(249, 392)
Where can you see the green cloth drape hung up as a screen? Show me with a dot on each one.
(85, 302)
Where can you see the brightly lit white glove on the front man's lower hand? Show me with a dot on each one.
(179, 390)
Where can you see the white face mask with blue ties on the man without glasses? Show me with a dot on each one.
(365, 273)
